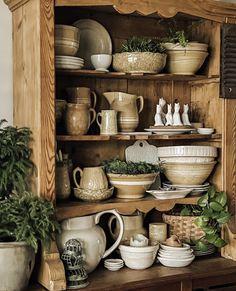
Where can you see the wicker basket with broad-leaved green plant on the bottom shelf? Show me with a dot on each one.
(201, 224)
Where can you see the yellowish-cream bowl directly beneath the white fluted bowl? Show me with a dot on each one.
(188, 173)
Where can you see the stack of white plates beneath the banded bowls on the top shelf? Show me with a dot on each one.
(68, 62)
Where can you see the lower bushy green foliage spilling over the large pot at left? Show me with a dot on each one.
(27, 218)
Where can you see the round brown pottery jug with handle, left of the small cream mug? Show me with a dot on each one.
(78, 119)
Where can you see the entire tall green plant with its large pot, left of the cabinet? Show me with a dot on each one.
(25, 219)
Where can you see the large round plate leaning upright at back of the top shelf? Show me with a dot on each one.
(94, 39)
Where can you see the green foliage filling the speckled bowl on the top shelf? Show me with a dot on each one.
(142, 44)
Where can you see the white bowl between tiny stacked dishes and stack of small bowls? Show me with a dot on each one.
(138, 258)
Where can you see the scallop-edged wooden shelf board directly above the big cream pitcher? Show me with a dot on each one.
(124, 206)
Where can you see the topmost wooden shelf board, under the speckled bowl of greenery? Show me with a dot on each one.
(119, 75)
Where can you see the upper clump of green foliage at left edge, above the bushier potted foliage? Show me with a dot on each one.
(15, 159)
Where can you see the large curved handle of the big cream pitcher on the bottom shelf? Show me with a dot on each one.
(120, 220)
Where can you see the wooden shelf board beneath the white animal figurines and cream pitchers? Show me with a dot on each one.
(138, 137)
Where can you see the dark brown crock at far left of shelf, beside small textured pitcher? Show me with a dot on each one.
(63, 188)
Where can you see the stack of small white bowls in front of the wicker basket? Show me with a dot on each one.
(175, 256)
